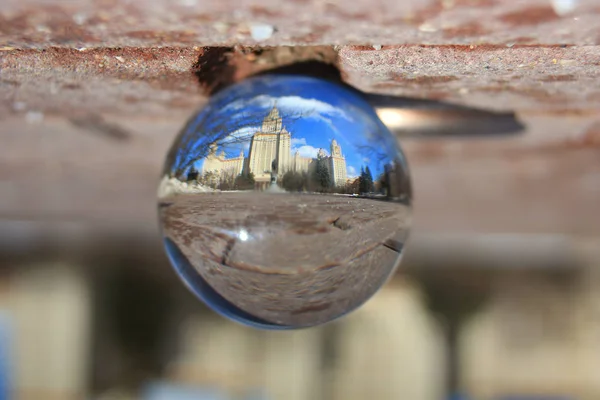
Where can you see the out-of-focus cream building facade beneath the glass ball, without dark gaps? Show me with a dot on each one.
(533, 335)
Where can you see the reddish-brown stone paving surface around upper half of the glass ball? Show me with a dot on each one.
(92, 93)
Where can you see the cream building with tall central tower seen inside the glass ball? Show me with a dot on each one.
(263, 150)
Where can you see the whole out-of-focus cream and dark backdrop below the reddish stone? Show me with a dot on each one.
(487, 319)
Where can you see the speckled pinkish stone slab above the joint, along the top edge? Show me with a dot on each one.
(100, 23)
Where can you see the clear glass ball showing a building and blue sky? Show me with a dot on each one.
(285, 202)
